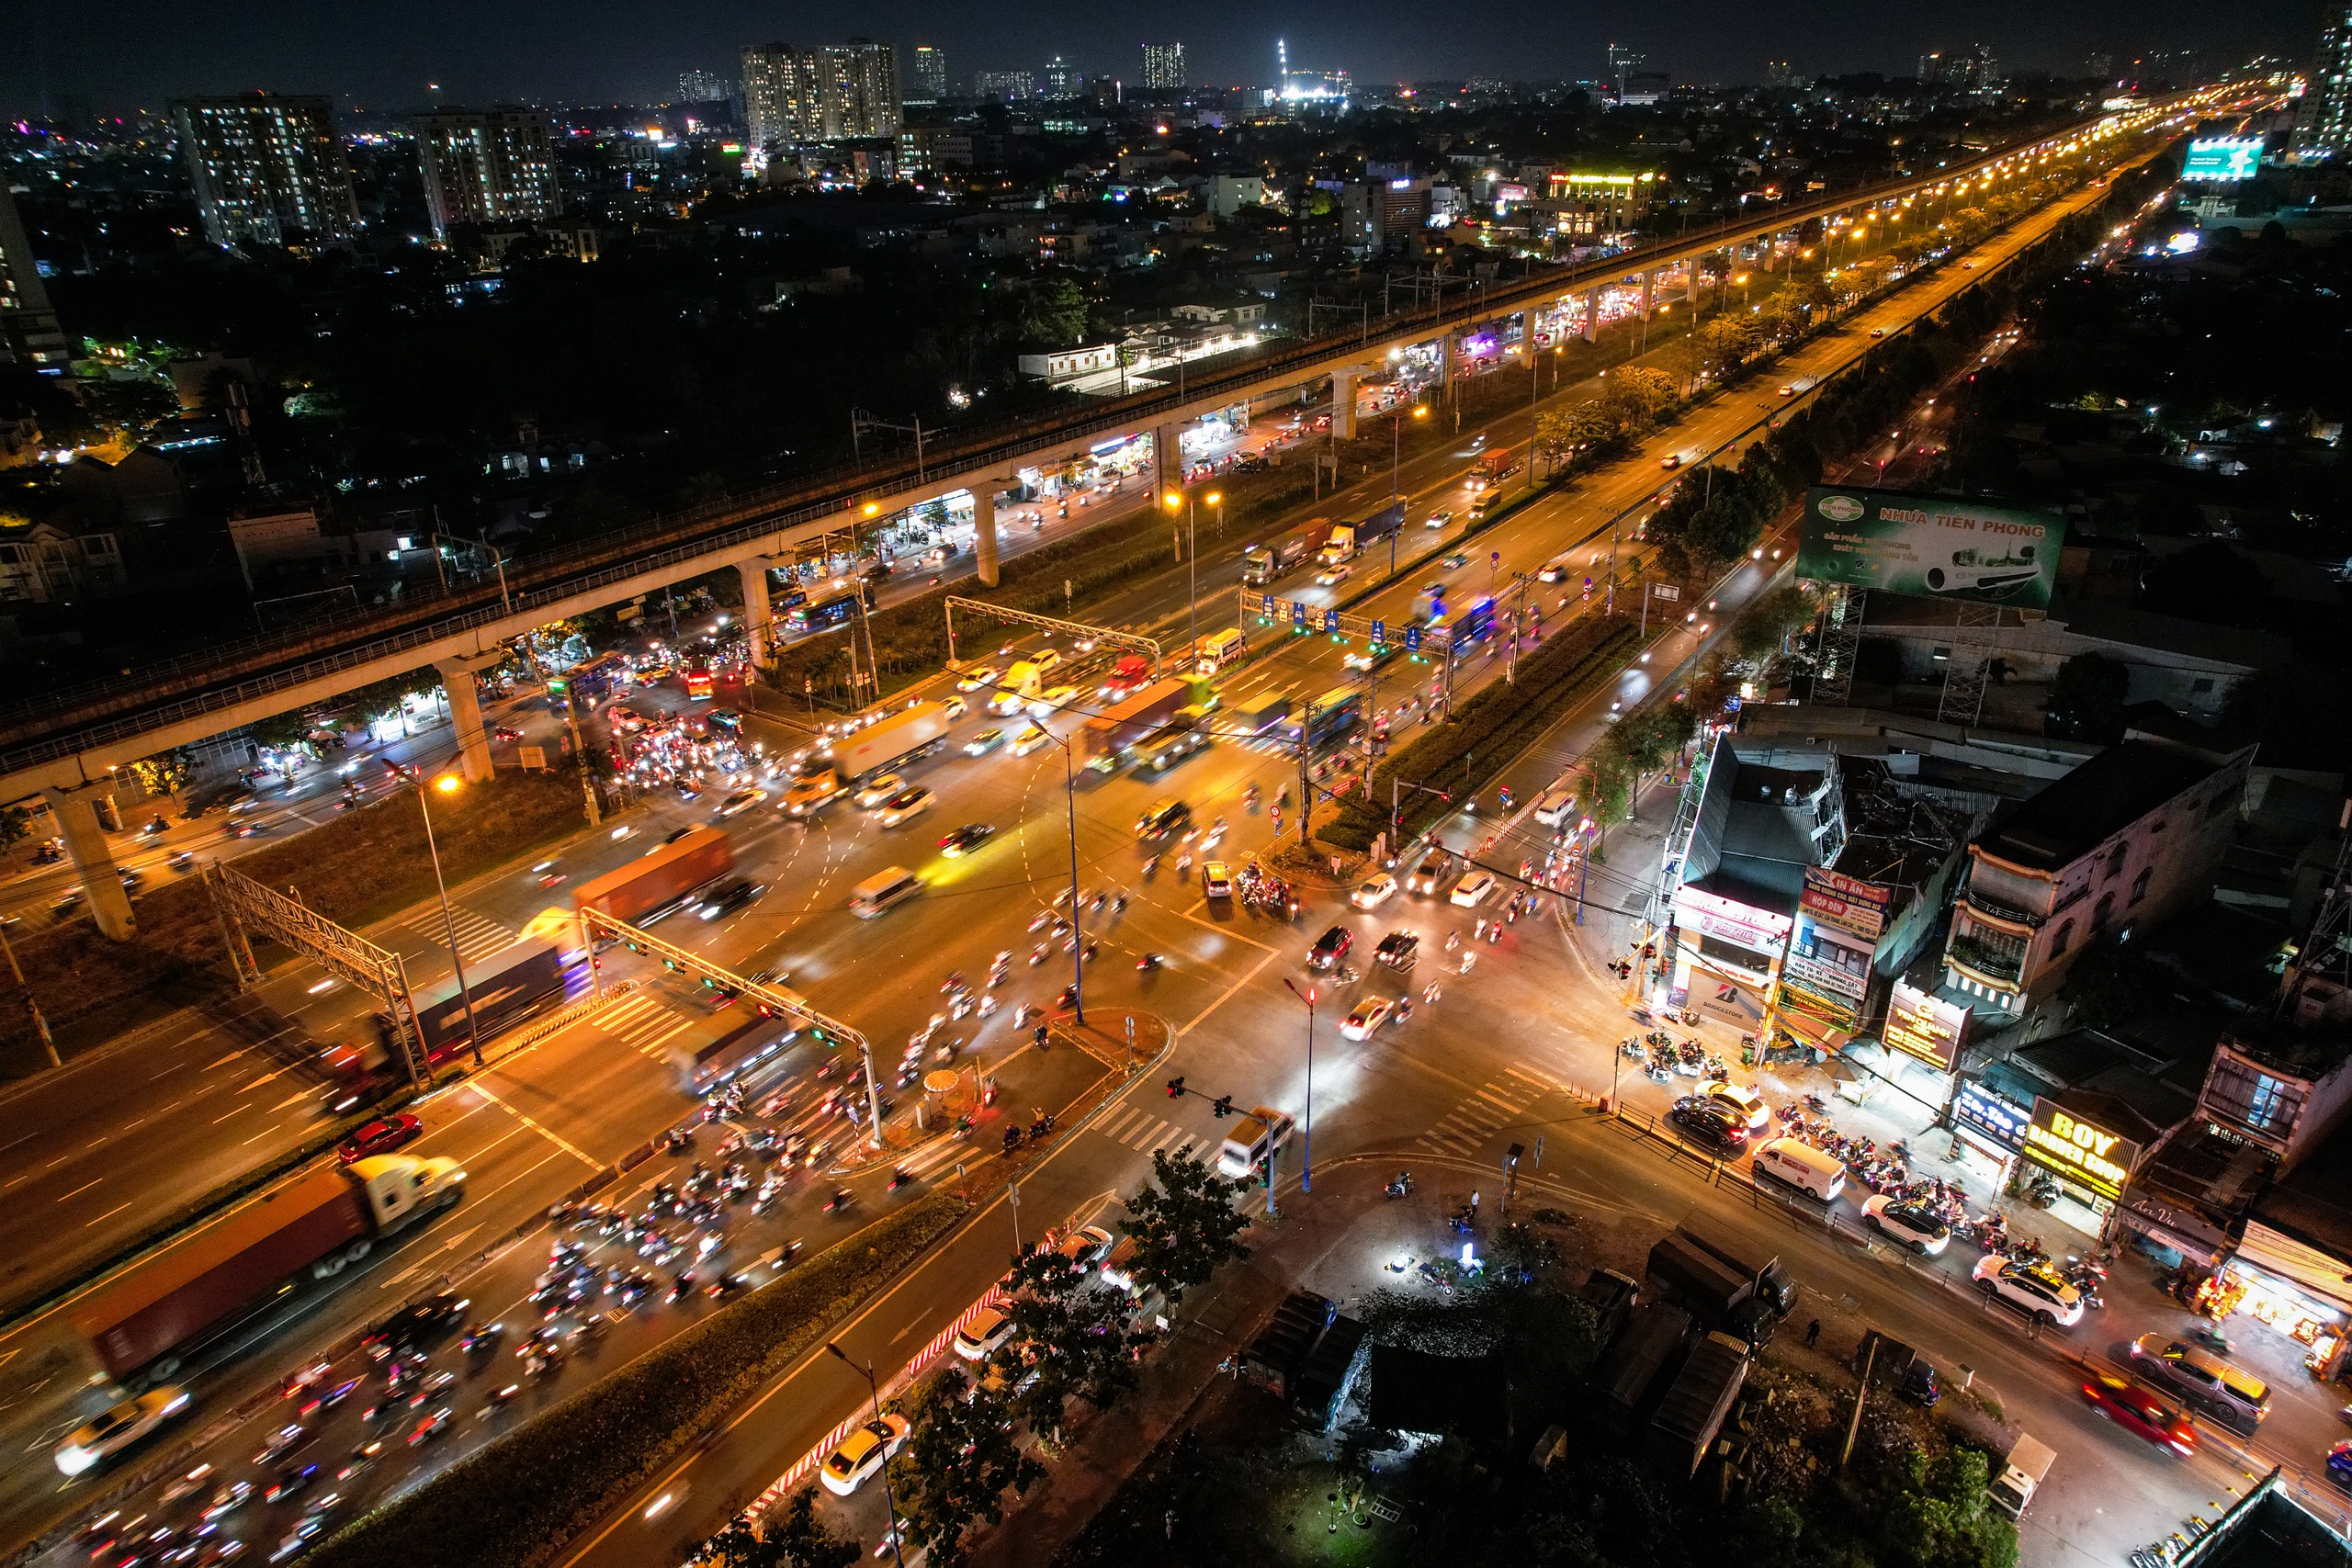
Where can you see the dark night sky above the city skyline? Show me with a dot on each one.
(599, 51)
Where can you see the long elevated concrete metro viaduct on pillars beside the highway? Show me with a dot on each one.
(76, 746)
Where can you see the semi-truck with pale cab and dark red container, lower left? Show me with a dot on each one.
(145, 1325)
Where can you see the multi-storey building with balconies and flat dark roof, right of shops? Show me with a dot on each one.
(2116, 845)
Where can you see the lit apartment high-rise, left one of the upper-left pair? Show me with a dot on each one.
(267, 170)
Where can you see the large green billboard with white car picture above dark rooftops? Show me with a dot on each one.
(1930, 547)
